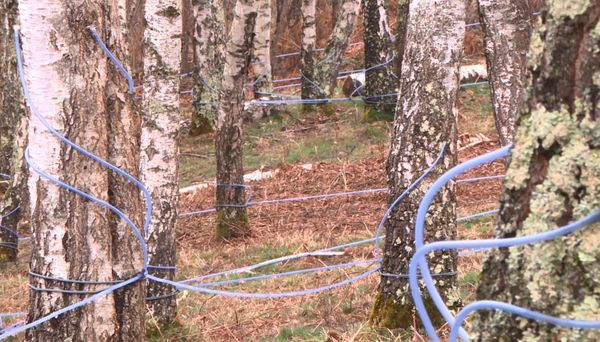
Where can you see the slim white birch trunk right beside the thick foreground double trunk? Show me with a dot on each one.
(159, 145)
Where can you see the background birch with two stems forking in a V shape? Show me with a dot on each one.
(319, 77)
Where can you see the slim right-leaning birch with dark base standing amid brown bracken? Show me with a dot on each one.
(232, 219)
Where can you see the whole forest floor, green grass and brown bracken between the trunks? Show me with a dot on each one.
(314, 155)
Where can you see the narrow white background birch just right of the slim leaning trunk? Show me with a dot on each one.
(262, 58)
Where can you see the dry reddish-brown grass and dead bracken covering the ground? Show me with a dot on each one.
(337, 315)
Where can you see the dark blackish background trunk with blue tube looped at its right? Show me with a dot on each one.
(379, 79)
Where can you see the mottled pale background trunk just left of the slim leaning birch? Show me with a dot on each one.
(209, 53)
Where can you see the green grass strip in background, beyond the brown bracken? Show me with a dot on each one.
(289, 137)
